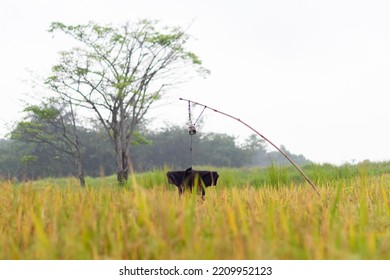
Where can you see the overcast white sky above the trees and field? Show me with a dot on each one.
(313, 76)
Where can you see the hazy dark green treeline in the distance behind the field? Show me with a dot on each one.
(151, 149)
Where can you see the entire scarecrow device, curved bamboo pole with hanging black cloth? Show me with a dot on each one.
(189, 178)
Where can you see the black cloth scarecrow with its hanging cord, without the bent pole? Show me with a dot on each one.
(190, 179)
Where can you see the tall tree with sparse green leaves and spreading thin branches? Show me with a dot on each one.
(119, 72)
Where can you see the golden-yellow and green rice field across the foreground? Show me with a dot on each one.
(252, 214)
